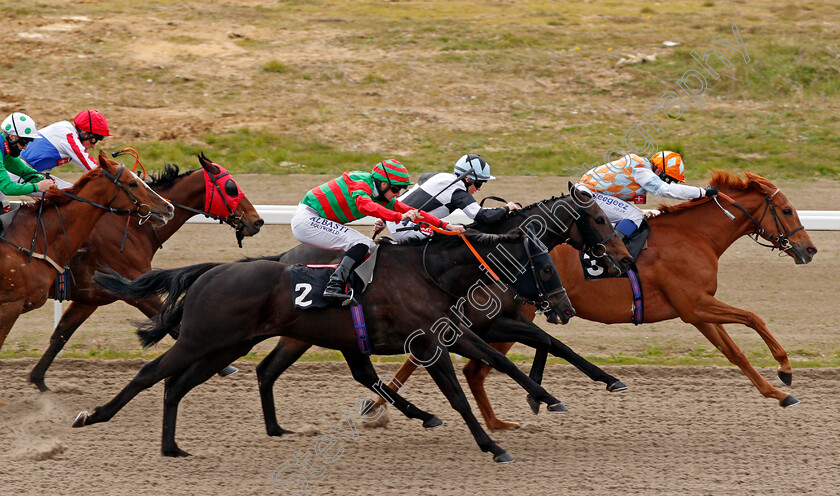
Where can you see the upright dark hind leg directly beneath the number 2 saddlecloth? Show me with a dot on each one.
(287, 352)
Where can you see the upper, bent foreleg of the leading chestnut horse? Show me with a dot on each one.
(714, 311)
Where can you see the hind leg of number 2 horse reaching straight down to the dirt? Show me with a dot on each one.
(178, 385)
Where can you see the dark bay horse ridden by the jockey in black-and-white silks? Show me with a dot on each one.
(575, 220)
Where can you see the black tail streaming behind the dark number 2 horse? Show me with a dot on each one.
(176, 282)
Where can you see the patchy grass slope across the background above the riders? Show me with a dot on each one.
(533, 86)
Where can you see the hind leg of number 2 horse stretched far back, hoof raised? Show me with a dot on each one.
(172, 362)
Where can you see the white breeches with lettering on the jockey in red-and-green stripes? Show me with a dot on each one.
(310, 228)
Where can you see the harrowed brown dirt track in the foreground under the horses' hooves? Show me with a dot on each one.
(676, 431)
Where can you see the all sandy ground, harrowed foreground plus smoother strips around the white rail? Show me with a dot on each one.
(678, 430)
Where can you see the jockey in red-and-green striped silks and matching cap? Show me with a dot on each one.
(320, 217)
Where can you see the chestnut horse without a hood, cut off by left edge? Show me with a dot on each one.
(56, 226)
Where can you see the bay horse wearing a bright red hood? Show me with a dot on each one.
(128, 248)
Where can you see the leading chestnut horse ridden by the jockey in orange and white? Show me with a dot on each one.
(678, 271)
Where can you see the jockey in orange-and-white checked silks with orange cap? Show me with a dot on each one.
(629, 179)
